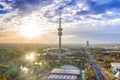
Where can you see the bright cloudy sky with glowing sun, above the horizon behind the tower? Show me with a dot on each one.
(97, 21)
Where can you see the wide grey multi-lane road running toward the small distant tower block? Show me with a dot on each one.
(97, 70)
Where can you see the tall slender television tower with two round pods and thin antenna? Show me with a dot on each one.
(60, 34)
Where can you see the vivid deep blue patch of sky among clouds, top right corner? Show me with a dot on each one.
(98, 7)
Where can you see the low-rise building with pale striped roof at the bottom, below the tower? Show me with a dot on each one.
(64, 74)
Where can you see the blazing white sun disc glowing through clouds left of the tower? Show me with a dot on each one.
(30, 30)
